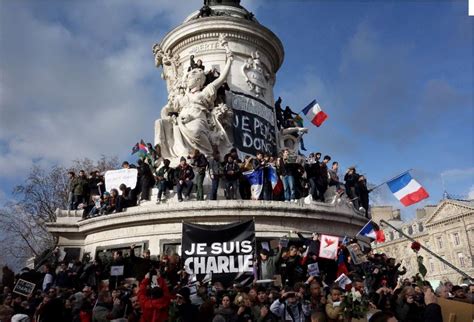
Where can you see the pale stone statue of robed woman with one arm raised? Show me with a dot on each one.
(190, 122)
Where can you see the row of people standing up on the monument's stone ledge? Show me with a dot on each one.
(286, 178)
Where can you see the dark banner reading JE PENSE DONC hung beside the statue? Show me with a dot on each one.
(254, 124)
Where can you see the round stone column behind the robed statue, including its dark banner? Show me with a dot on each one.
(257, 54)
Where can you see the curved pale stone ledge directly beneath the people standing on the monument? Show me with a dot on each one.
(214, 211)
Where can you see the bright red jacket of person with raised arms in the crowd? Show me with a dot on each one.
(154, 310)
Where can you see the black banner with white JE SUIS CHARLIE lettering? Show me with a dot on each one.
(221, 252)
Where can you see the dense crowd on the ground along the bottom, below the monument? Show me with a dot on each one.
(158, 290)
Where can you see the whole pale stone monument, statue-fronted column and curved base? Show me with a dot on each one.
(220, 67)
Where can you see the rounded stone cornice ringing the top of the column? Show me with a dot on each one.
(194, 31)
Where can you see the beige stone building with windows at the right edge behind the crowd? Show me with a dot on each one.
(447, 229)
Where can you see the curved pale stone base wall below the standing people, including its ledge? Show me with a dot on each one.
(157, 226)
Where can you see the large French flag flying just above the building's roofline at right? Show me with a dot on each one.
(407, 190)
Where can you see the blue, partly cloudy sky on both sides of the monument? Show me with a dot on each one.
(77, 79)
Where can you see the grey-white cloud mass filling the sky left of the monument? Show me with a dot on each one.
(80, 85)
